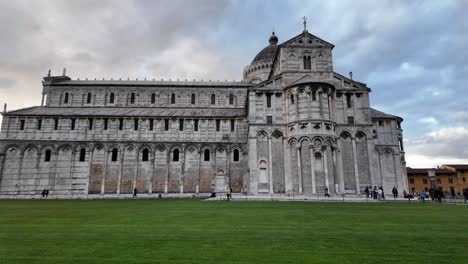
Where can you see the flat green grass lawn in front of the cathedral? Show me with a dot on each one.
(192, 231)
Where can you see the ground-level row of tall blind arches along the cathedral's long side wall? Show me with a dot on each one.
(118, 168)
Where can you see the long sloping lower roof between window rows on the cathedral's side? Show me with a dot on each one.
(129, 111)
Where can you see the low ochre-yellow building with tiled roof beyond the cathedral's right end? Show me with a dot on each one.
(444, 179)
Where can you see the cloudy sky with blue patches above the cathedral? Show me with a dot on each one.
(412, 54)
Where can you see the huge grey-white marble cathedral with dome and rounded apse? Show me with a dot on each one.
(292, 125)
